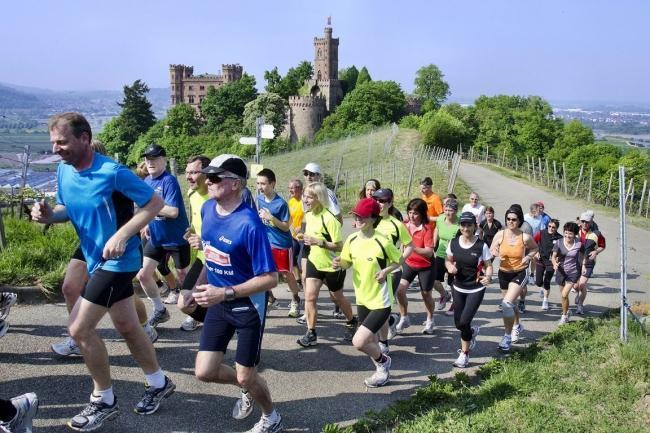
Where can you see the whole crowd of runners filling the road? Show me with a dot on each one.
(132, 228)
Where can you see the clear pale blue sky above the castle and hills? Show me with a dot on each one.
(562, 50)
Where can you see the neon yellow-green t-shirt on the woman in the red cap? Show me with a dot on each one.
(367, 259)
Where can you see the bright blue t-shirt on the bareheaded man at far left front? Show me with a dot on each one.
(99, 200)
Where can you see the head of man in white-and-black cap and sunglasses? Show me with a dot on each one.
(226, 176)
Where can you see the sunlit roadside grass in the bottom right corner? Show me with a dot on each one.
(579, 378)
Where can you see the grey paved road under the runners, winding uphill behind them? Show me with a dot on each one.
(312, 387)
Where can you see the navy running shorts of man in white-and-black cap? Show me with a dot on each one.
(224, 319)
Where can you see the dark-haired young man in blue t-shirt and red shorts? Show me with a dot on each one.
(274, 213)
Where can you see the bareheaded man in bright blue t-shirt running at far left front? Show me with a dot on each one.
(107, 230)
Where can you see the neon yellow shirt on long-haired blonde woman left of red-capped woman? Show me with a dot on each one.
(321, 258)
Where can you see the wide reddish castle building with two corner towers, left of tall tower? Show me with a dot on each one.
(191, 89)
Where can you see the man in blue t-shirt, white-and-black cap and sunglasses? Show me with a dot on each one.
(240, 270)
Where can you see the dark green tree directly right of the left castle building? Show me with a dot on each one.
(223, 108)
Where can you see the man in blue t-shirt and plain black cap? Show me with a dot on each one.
(165, 233)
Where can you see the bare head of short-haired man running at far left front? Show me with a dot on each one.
(70, 135)
